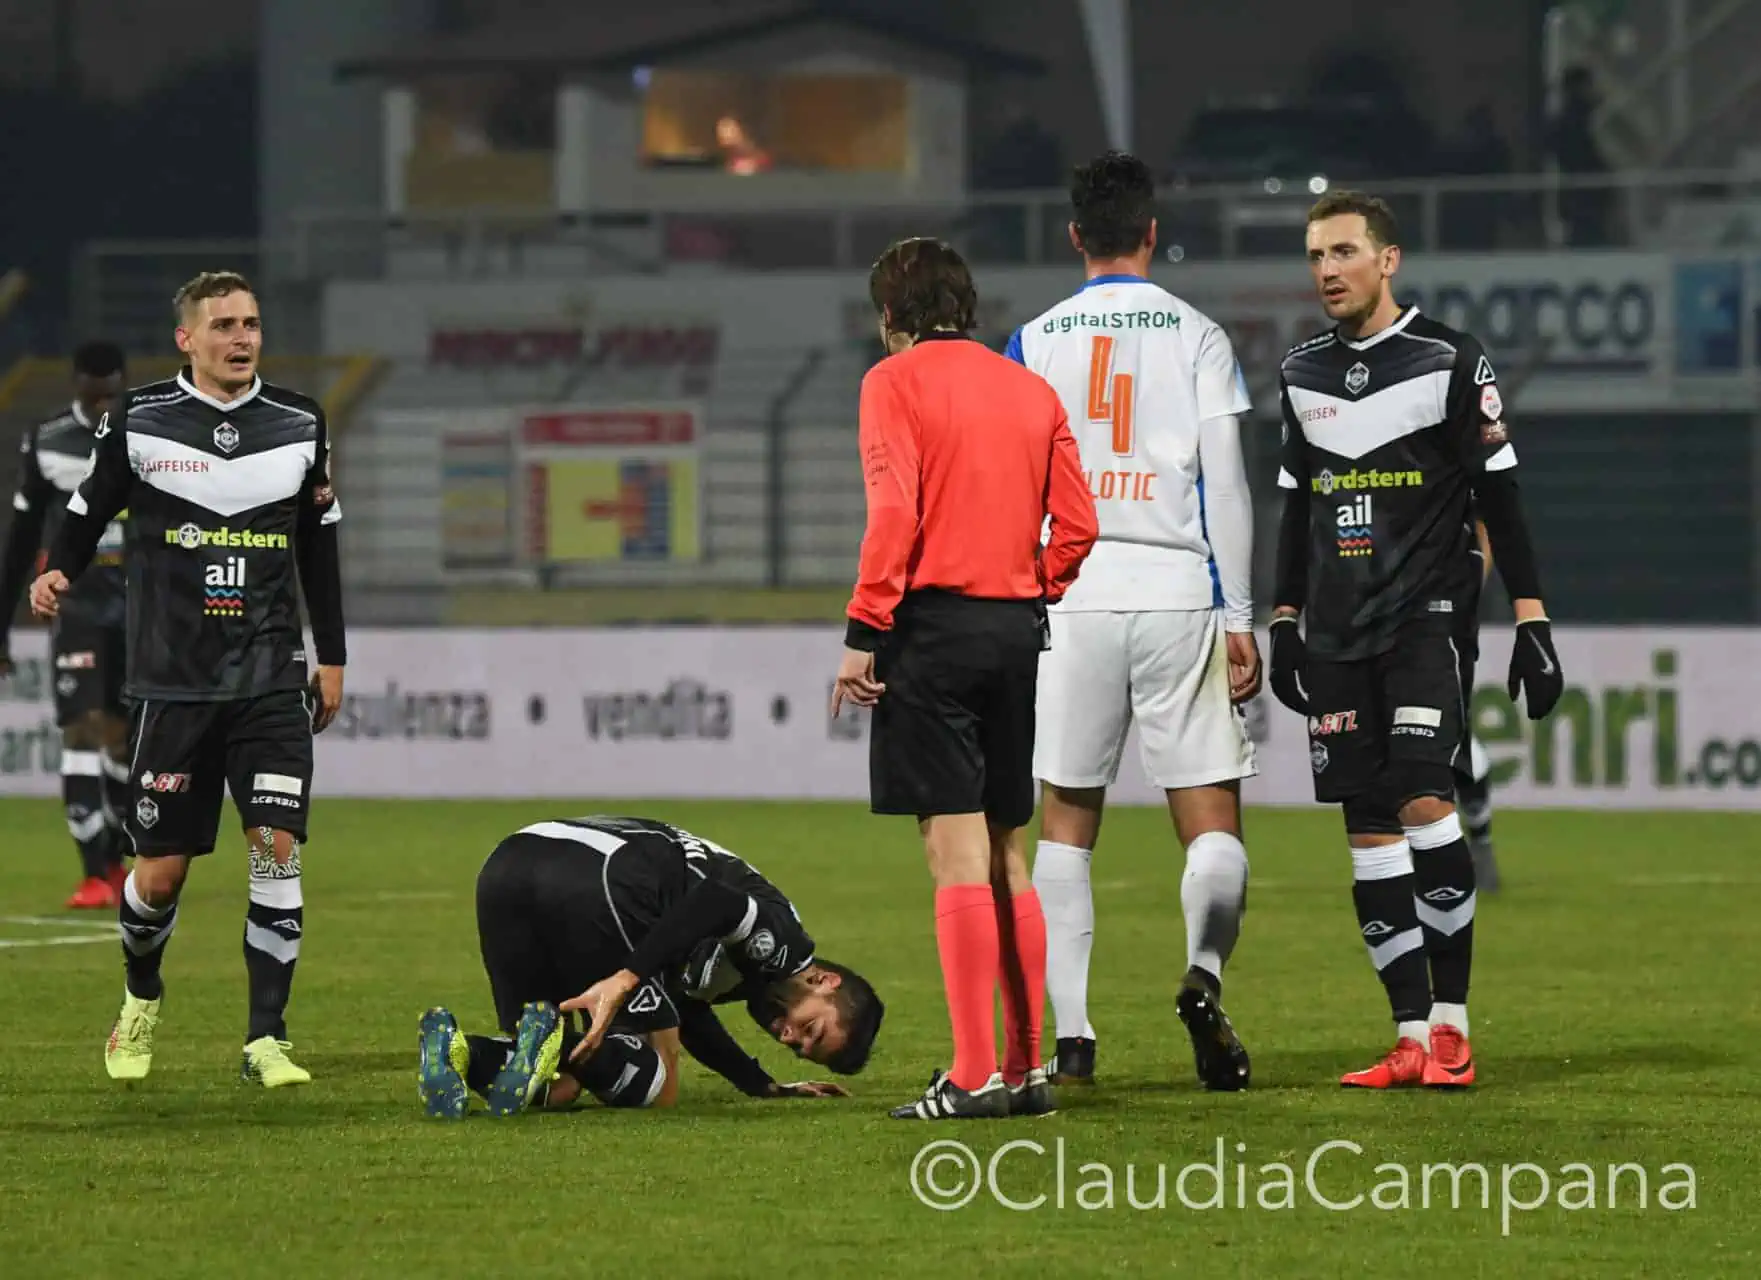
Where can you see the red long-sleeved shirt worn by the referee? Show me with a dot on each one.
(964, 455)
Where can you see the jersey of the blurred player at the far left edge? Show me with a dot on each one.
(55, 457)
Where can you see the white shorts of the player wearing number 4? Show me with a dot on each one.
(1168, 670)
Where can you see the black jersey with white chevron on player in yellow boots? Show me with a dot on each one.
(226, 503)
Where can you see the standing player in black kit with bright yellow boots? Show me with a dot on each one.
(230, 499)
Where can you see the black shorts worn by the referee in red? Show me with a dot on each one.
(954, 733)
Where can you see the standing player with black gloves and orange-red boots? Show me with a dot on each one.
(1394, 443)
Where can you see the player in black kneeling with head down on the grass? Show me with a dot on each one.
(642, 927)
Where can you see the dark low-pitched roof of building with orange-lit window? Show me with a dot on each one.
(570, 38)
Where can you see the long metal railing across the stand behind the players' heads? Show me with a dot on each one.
(1477, 214)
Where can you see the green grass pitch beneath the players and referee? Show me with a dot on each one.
(1616, 1024)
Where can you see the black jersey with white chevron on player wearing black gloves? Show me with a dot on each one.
(1389, 439)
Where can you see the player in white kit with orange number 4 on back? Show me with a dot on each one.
(1160, 628)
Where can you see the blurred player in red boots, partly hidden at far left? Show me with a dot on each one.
(89, 638)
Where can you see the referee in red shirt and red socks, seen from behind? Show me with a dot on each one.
(966, 455)
